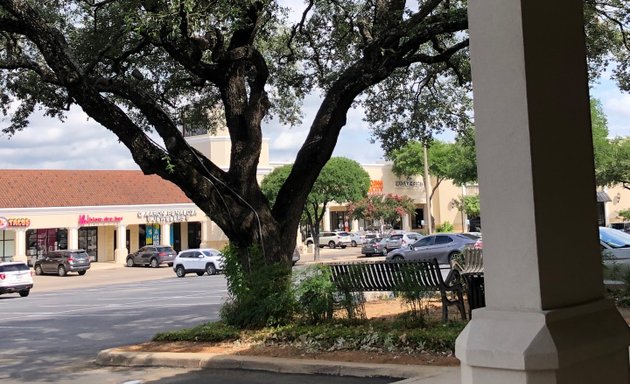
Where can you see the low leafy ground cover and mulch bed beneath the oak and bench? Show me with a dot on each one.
(395, 335)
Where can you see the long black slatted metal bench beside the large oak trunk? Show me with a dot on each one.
(402, 276)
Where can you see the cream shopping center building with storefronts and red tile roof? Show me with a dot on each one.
(111, 213)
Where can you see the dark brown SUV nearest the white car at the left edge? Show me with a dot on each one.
(63, 261)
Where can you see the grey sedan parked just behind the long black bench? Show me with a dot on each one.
(441, 246)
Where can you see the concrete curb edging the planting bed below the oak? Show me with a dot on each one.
(113, 357)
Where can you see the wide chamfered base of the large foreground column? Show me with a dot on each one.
(582, 344)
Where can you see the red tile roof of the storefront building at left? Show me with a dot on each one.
(25, 188)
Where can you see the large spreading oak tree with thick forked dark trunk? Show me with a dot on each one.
(159, 65)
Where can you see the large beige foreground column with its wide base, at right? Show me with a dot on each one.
(546, 319)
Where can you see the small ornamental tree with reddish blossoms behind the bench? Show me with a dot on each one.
(383, 208)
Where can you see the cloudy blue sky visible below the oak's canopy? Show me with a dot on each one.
(80, 143)
